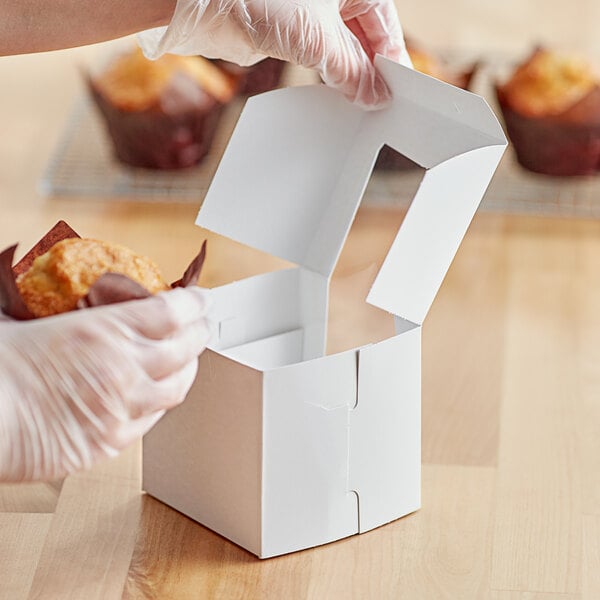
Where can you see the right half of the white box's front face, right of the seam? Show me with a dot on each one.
(385, 430)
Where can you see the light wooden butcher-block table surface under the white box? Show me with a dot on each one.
(511, 411)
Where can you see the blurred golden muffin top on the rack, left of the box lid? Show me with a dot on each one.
(134, 83)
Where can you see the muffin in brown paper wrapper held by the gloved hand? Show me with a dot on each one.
(64, 272)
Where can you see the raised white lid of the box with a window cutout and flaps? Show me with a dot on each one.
(299, 160)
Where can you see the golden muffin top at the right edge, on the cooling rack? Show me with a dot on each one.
(548, 83)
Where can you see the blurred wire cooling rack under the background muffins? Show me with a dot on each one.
(82, 165)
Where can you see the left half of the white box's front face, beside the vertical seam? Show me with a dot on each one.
(305, 461)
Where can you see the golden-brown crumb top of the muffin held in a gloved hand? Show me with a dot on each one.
(58, 279)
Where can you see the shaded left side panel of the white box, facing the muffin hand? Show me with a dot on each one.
(204, 457)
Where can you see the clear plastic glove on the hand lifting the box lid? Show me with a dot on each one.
(338, 38)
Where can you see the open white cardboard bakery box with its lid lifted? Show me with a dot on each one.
(277, 446)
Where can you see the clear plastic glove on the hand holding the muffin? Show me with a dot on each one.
(83, 385)
